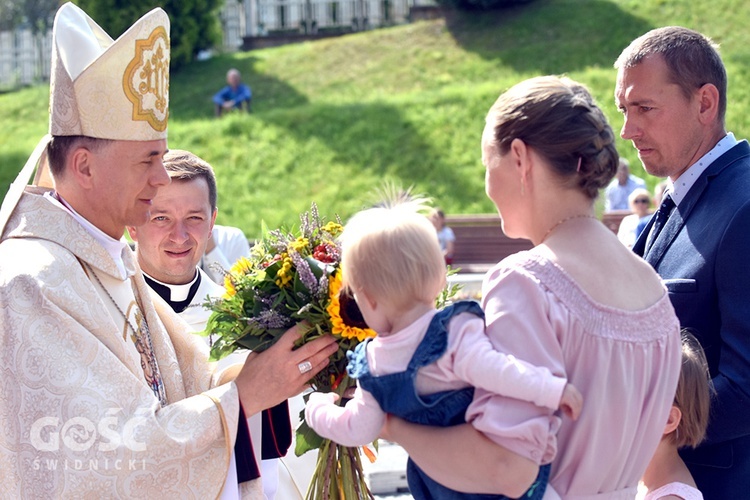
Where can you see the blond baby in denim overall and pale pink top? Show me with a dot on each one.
(424, 363)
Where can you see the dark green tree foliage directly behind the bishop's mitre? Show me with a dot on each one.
(194, 23)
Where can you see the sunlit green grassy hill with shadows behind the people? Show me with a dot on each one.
(334, 119)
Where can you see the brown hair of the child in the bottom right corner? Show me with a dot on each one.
(693, 396)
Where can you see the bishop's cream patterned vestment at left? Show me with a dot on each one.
(83, 371)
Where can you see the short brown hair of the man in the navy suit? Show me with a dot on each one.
(692, 59)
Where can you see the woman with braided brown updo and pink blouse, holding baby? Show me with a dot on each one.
(579, 303)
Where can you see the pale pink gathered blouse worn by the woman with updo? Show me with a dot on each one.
(626, 364)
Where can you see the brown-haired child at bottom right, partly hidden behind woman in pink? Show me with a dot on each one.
(667, 476)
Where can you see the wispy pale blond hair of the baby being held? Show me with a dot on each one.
(392, 252)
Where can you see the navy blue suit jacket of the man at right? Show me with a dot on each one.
(703, 256)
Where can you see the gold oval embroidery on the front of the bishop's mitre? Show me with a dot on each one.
(146, 80)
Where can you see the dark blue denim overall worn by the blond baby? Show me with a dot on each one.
(397, 395)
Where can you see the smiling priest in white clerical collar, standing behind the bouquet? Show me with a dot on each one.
(169, 247)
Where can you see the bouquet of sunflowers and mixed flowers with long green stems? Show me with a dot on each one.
(294, 276)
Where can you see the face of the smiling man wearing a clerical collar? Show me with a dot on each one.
(172, 242)
